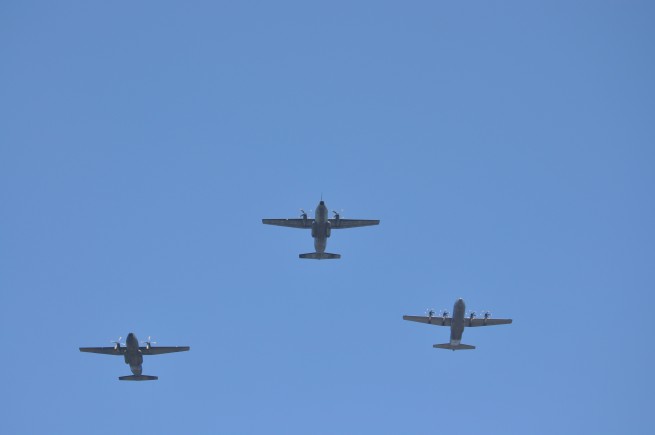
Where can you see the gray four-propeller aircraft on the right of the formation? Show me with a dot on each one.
(457, 324)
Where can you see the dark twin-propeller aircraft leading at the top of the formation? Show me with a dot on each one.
(321, 228)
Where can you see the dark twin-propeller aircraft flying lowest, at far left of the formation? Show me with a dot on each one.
(133, 354)
